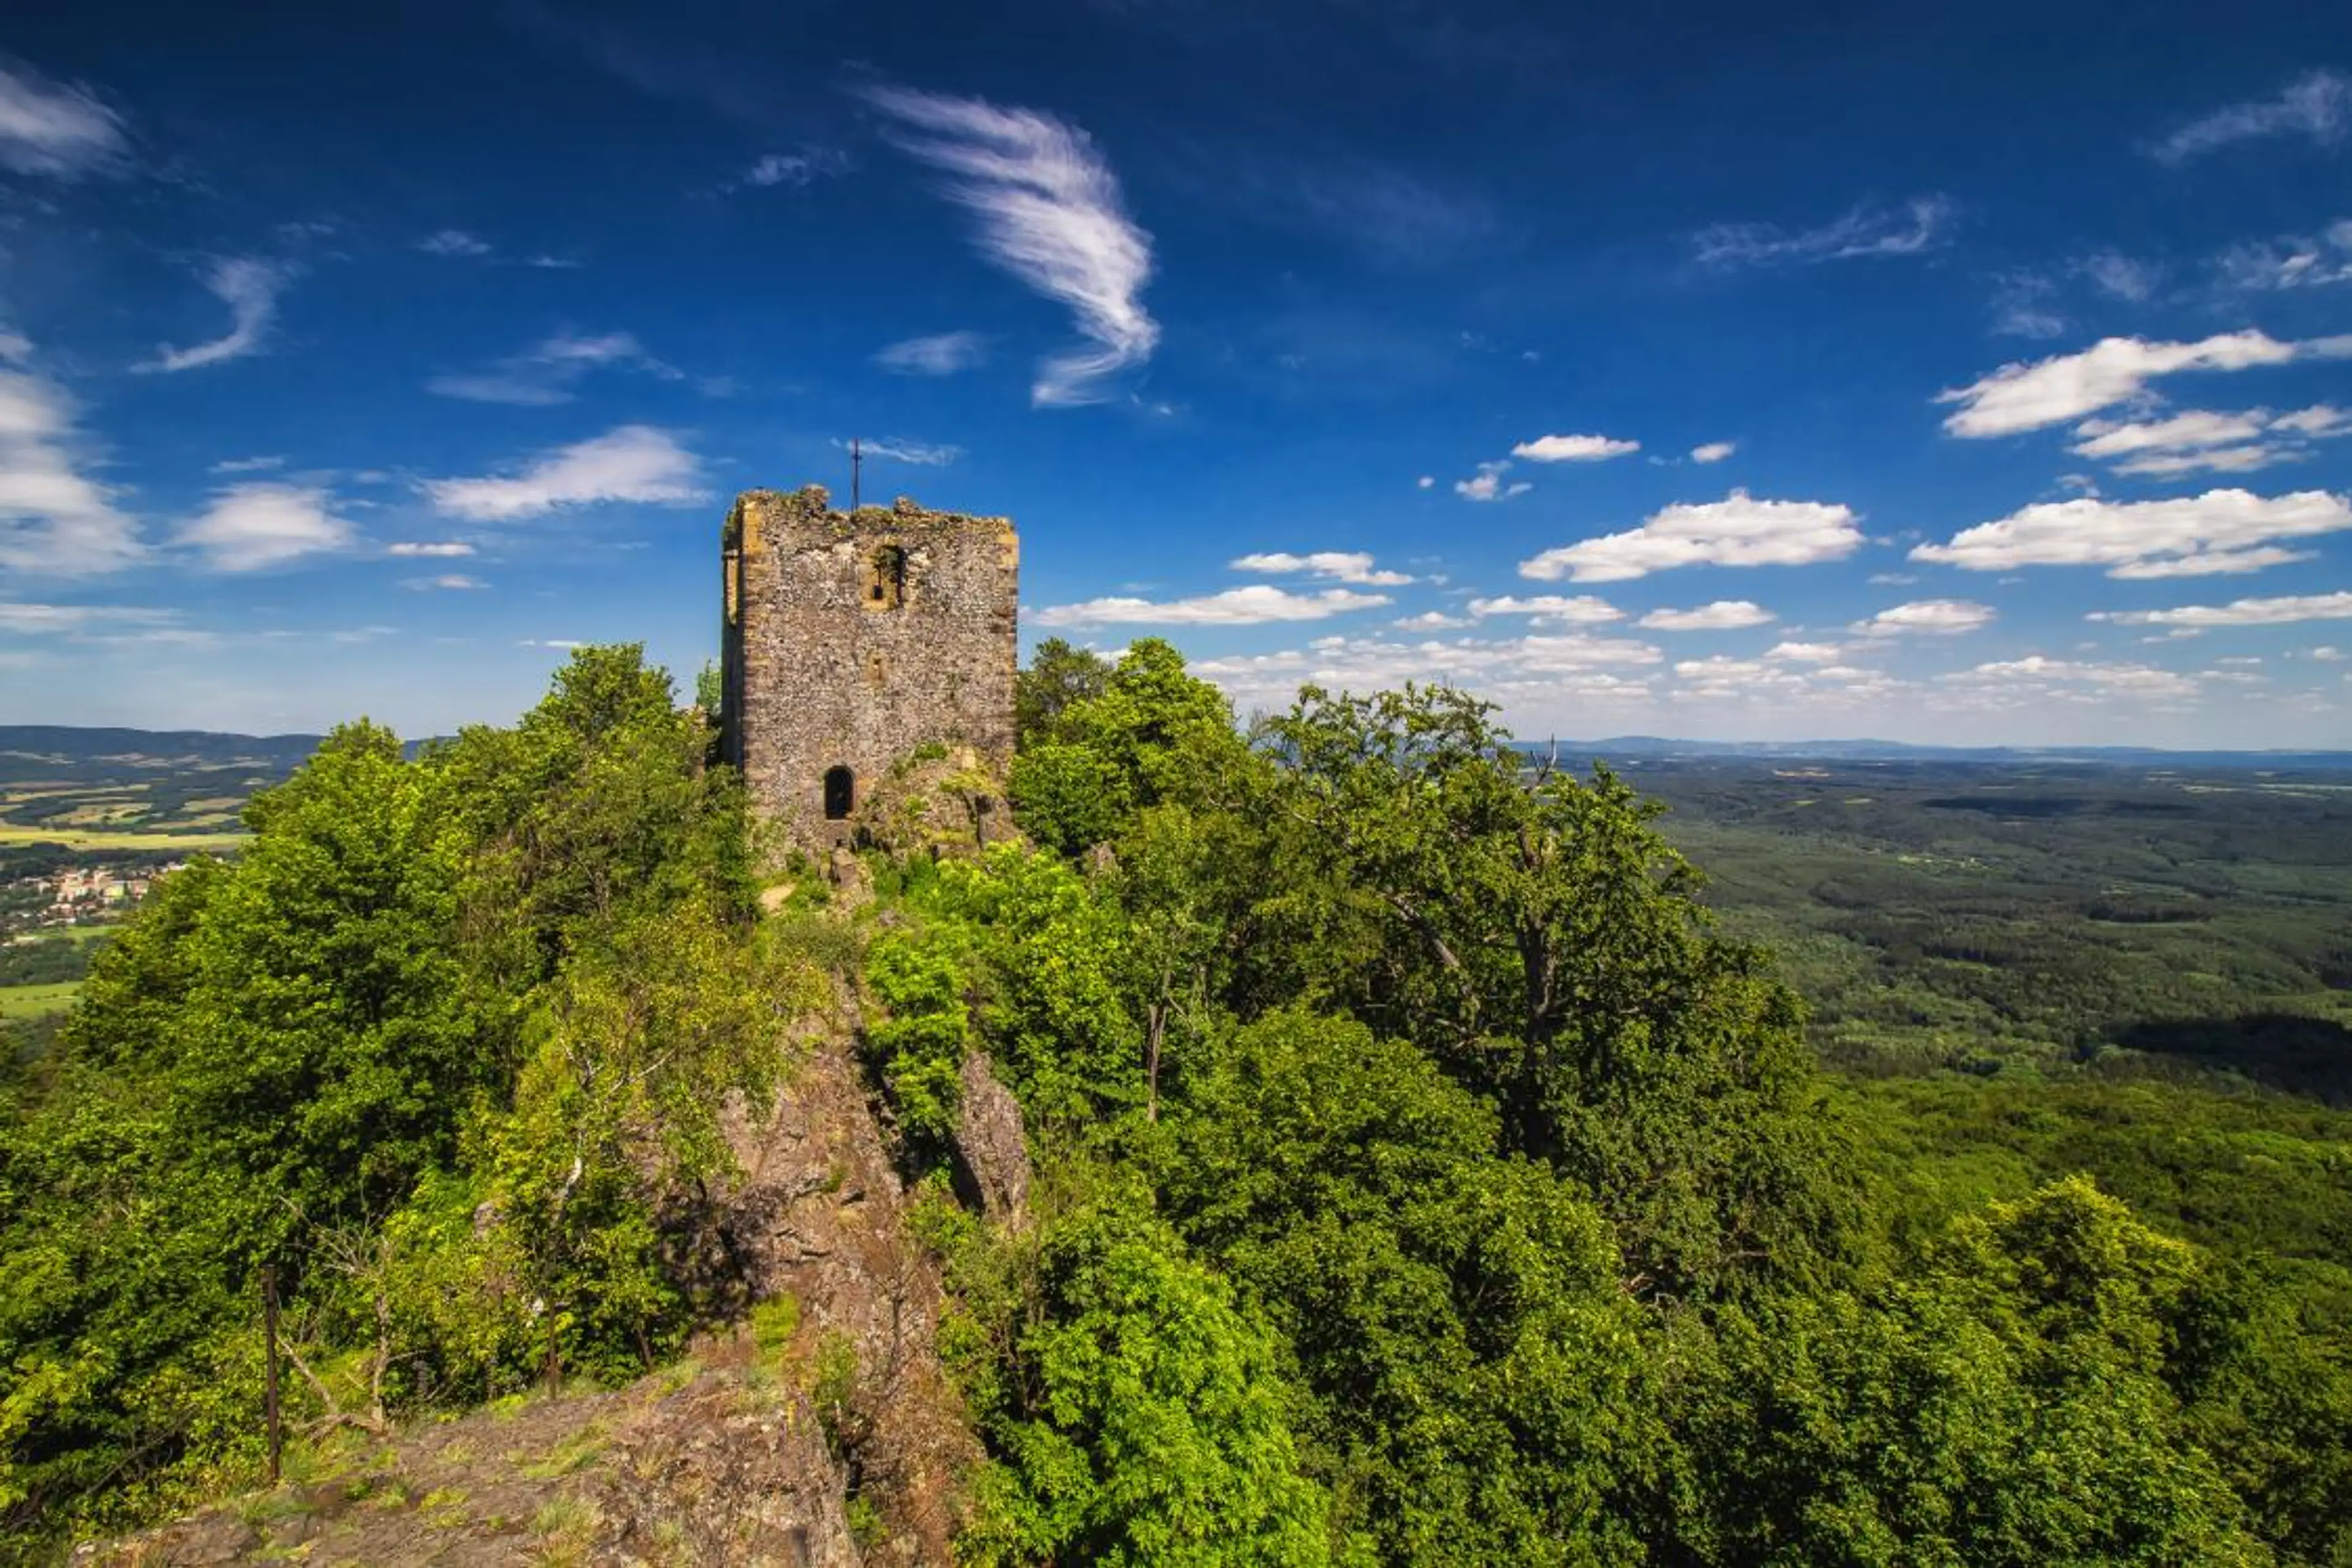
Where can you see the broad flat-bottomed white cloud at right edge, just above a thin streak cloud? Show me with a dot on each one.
(2224, 530)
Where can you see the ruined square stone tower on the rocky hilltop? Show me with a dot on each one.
(853, 641)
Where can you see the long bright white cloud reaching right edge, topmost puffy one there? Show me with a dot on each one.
(2113, 370)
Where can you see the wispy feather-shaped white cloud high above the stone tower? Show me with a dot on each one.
(1050, 215)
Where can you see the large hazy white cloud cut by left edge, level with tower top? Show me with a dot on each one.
(53, 516)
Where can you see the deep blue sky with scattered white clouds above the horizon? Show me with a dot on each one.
(1975, 377)
